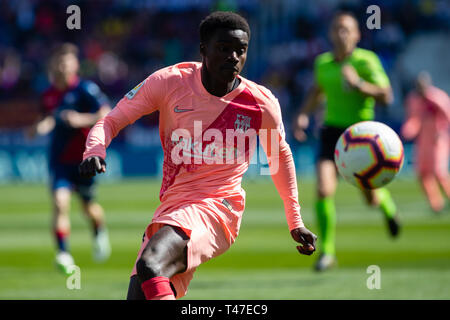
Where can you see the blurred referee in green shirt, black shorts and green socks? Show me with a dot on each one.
(350, 79)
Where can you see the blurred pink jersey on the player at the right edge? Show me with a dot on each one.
(428, 120)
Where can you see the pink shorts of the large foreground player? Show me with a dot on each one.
(208, 236)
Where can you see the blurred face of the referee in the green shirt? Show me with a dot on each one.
(344, 34)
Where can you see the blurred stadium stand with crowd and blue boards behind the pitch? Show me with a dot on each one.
(123, 41)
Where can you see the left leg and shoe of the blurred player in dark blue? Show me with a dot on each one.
(61, 227)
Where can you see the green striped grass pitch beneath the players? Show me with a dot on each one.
(262, 264)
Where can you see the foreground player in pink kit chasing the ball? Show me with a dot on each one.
(204, 107)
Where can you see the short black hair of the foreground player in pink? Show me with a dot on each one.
(222, 20)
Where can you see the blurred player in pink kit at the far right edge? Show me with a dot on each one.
(428, 122)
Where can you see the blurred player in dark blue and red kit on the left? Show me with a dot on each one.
(70, 107)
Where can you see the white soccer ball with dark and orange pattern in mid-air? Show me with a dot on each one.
(369, 154)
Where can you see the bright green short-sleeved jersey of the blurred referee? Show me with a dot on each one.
(346, 106)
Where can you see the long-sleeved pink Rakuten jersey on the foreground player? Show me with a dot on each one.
(192, 124)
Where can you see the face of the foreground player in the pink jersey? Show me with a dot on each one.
(225, 54)
